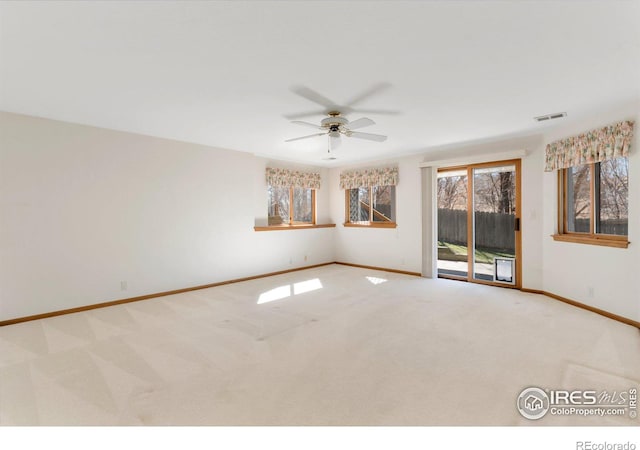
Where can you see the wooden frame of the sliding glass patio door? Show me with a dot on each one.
(470, 226)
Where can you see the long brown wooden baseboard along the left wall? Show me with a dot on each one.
(149, 296)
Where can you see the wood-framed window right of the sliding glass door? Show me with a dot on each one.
(593, 203)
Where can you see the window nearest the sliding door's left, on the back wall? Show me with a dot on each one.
(371, 206)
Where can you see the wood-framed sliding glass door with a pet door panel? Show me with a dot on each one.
(478, 223)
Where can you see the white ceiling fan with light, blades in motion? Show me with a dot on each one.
(335, 126)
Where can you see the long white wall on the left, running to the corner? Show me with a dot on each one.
(84, 208)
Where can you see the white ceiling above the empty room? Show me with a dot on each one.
(221, 73)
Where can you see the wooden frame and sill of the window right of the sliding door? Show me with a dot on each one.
(591, 238)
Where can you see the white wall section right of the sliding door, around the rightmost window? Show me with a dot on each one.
(570, 269)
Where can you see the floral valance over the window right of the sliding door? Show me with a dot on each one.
(598, 145)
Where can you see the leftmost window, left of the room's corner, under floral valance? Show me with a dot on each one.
(291, 206)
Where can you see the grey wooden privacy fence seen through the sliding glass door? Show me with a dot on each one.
(493, 230)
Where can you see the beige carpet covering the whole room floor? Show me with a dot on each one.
(334, 345)
